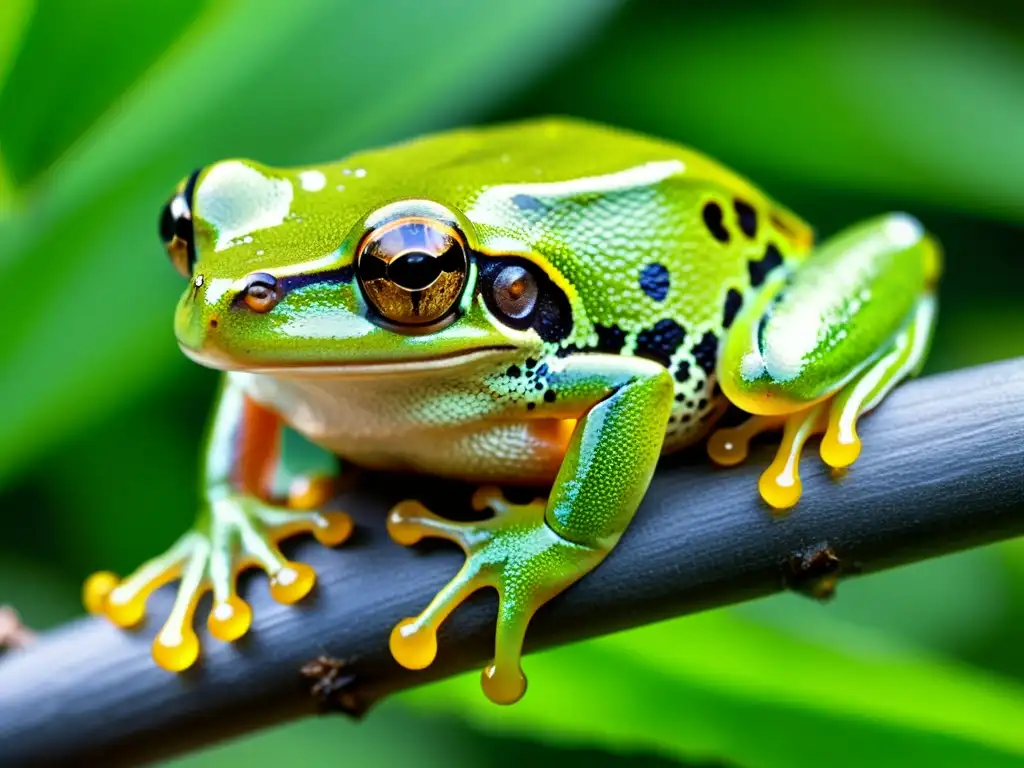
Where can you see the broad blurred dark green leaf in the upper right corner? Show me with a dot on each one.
(916, 102)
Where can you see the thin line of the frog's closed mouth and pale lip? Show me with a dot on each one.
(369, 369)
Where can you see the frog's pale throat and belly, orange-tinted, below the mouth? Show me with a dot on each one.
(398, 425)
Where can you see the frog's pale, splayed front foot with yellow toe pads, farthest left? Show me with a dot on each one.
(240, 532)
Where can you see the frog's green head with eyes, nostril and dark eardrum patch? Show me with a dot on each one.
(288, 273)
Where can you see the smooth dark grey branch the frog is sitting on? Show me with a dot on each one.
(943, 471)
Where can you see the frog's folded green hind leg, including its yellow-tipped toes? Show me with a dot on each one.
(823, 347)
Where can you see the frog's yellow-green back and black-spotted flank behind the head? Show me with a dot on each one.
(656, 246)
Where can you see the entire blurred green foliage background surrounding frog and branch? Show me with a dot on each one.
(840, 111)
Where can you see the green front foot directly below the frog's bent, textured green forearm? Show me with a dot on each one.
(518, 553)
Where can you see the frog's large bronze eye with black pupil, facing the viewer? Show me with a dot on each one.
(413, 271)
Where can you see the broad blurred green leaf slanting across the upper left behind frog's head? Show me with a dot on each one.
(297, 81)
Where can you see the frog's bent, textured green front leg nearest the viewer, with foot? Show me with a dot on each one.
(532, 552)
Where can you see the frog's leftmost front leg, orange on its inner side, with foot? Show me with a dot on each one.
(235, 530)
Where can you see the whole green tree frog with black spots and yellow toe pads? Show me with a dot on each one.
(550, 304)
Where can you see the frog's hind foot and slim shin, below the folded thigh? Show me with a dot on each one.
(836, 418)
